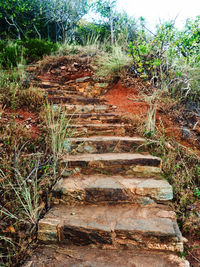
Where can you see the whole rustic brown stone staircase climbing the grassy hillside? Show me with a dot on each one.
(111, 207)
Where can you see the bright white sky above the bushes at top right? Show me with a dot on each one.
(152, 10)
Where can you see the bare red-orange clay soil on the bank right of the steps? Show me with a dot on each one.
(128, 101)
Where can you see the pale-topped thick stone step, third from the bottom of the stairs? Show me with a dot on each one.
(111, 189)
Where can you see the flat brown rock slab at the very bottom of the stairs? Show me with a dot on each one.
(72, 256)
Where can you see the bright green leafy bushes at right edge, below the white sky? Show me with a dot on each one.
(170, 58)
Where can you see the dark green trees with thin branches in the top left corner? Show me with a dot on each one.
(38, 18)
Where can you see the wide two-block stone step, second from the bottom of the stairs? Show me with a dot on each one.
(129, 226)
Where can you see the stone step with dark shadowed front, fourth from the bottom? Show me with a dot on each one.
(114, 163)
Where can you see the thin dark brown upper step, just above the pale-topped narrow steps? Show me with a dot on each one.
(74, 100)
